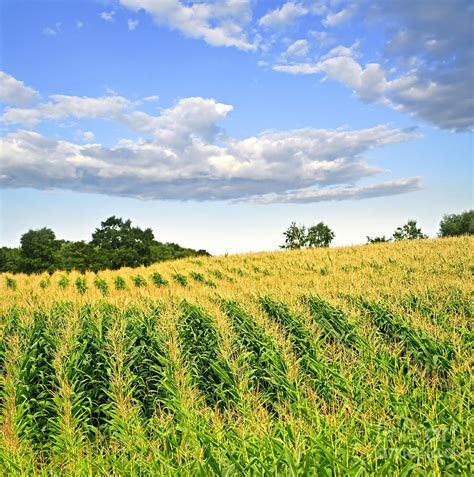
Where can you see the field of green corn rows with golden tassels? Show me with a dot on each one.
(349, 361)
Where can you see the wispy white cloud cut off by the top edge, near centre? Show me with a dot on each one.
(217, 23)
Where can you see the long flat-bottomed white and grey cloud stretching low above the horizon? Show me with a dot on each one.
(185, 154)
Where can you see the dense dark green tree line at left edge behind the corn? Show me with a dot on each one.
(115, 244)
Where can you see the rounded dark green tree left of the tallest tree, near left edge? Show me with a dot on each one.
(39, 251)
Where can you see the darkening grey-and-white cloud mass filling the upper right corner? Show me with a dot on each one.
(428, 67)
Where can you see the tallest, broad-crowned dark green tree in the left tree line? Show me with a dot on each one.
(118, 244)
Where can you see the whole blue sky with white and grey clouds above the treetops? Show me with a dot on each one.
(219, 122)
